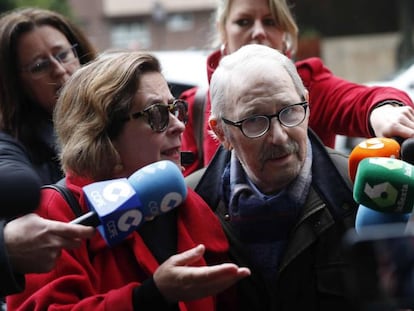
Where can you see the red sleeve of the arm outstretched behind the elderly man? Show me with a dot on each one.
(339, 106)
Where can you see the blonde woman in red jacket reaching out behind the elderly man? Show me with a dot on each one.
(338, 106)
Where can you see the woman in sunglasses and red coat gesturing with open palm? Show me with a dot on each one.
(113, 117)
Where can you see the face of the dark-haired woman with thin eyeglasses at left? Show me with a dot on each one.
(36, 47)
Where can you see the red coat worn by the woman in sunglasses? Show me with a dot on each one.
(97, 277)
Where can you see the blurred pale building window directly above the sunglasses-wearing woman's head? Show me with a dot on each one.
(130, 36)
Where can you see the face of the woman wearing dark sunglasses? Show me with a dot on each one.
(138, 145)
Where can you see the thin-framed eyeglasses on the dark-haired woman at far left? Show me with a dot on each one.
(44, 66)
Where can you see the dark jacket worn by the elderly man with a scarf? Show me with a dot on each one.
(312, 272)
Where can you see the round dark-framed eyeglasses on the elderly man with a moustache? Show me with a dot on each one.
(257, 126)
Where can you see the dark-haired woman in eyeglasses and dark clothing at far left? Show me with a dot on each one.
(39, 51)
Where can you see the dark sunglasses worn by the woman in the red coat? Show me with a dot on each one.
(158, 115)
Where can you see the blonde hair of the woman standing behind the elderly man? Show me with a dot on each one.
(280, 12)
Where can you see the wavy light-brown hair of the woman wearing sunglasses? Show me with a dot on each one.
(92, 109)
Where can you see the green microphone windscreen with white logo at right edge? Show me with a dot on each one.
(385, 185)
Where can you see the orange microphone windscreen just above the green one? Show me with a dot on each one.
(372, 147)
